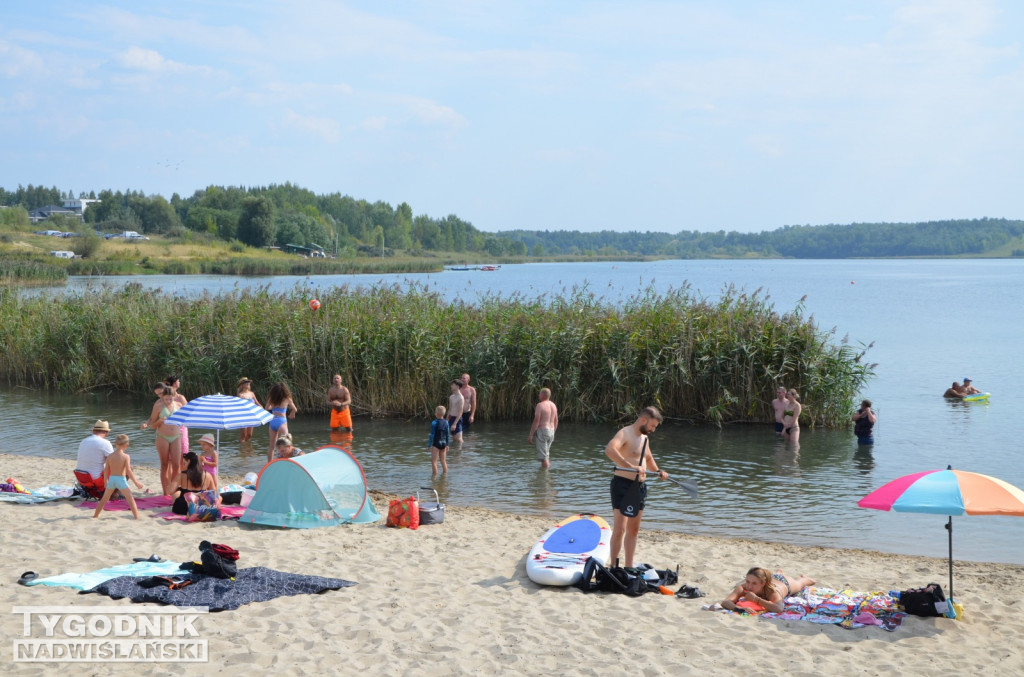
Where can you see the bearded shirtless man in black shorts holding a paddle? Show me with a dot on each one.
(625, 451)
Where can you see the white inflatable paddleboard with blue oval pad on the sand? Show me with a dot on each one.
(560, 557)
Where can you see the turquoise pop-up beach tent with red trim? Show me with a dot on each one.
(323, 489)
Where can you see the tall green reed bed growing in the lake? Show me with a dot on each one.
(702, 360)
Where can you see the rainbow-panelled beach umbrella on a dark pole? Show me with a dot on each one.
(949, 492)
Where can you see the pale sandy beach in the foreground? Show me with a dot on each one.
(454, 600)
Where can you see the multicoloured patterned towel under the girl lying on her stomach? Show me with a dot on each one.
(847, 609)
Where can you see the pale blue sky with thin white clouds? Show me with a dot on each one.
(662, 116)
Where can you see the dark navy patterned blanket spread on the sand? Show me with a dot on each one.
(257, 584)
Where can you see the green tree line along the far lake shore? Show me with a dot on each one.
(346, 227)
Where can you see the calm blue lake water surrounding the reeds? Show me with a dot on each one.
(932, 322)
